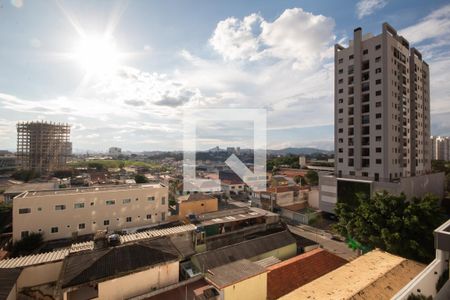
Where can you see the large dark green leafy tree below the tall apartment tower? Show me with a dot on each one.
(391, 223)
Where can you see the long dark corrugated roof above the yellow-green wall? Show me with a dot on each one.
(243, 250)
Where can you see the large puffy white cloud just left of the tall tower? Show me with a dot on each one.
(296, 35)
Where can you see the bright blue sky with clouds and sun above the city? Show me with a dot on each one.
(124, 73)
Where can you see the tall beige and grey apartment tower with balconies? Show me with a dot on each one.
(382, 108)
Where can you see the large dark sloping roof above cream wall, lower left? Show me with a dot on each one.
(98, 265)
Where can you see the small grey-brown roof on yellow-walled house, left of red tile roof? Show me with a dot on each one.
(234, 272)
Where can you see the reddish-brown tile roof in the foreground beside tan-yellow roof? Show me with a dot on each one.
(286, 276)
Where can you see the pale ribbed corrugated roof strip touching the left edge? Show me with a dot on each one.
(34, 259)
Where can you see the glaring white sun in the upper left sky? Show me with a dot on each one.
(97, 55)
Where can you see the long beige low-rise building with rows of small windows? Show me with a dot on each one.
(72, 212)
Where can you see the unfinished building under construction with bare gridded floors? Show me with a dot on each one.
(43, 146)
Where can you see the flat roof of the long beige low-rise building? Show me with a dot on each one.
(85, 190)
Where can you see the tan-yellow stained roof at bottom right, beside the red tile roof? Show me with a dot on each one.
(353, 278)
